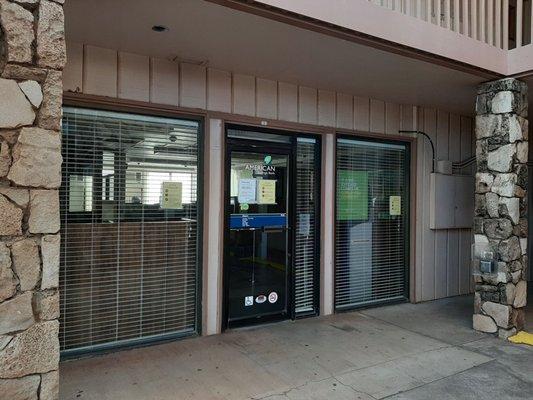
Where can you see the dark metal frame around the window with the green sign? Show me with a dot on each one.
(406, 217)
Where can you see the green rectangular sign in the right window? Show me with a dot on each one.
(352, 195)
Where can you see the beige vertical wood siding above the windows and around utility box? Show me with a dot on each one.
(442, 257)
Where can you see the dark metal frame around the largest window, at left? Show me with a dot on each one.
(97, 104)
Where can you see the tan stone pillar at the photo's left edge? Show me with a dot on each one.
(32, 56)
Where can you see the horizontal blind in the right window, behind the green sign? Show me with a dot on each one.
(371, 223)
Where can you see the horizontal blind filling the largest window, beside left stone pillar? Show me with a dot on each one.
(129, 228)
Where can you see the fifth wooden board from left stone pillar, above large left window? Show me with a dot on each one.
(193, 85)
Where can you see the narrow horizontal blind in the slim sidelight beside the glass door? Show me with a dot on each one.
(305, 261)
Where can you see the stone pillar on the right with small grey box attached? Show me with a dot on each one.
(501, 205)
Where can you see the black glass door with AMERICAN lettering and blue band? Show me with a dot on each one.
(257, 253)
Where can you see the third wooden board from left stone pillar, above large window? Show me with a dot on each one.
(133, 77)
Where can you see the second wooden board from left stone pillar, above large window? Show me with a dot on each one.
(100, 71)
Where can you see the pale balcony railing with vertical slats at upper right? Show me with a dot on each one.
(504, 24)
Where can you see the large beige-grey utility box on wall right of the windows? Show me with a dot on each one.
(451, 201)
